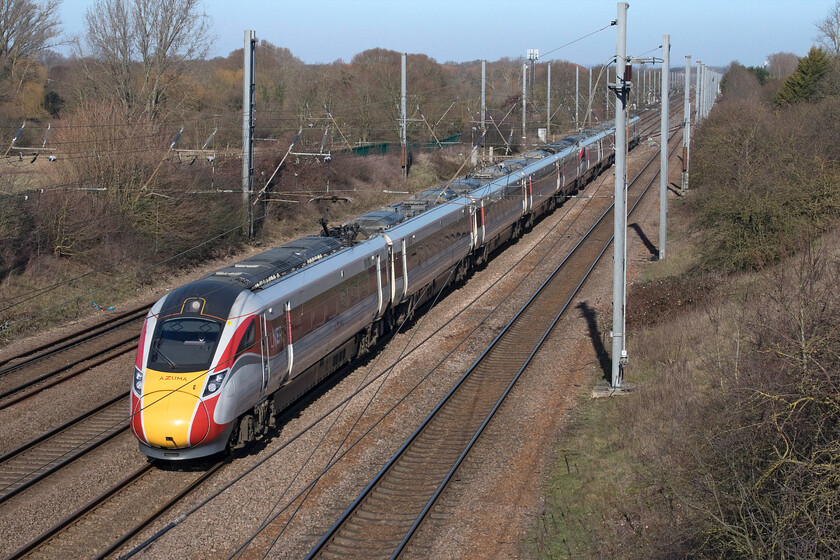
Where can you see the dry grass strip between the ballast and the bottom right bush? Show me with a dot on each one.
(616, 491)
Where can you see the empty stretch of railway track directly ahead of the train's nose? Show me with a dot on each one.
(103, 525)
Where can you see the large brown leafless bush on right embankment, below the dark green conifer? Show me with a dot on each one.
(766, 182)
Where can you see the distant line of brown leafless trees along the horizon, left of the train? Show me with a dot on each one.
(145, 60)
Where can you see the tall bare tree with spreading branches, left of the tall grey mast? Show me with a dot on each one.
(141, 46)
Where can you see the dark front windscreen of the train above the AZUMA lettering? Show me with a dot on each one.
(184, 345)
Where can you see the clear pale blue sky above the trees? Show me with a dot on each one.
(323, 31)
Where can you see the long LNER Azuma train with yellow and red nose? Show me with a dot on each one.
(220, 357)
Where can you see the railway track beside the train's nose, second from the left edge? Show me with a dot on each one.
(40, 457)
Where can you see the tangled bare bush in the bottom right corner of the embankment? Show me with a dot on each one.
(772, 462)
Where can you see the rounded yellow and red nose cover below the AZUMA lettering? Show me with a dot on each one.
(174, 419)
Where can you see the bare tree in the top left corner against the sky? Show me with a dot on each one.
(27, 27)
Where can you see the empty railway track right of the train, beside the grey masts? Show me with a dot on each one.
(389, 511)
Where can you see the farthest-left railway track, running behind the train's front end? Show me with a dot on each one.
(48, 365)
